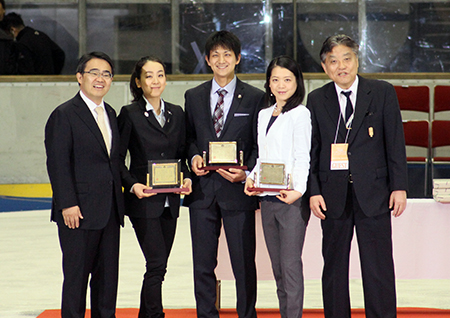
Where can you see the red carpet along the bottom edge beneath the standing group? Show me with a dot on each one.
(265, 313)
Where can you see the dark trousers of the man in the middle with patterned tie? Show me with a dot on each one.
(239, 229)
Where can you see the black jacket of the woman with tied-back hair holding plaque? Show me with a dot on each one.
(145, 139)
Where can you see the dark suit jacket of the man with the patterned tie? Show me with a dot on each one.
(240, 126)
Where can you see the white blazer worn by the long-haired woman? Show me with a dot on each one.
(288, 141)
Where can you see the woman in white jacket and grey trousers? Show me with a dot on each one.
(284, 136)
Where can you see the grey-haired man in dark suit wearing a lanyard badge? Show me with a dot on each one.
(358, 175)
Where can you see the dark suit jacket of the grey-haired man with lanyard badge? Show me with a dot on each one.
(377, 164)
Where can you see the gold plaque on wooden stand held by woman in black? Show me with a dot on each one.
(164, 176)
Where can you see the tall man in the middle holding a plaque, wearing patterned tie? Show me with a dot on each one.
(222, 113)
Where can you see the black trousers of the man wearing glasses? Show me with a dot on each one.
(94, 253)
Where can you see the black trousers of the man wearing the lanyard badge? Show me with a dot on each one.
(374, 236)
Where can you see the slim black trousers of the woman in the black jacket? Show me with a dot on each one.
(155, 236)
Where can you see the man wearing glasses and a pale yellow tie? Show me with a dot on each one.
(81, 140)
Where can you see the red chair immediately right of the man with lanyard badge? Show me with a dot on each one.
(417, 135)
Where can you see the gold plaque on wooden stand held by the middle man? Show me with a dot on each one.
(223, 155)
